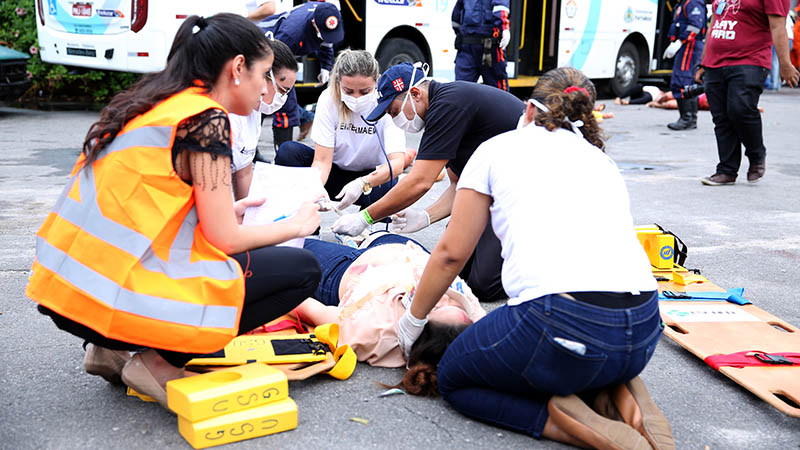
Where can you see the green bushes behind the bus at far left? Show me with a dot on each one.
(52, 81)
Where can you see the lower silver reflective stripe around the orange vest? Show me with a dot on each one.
(121, 299)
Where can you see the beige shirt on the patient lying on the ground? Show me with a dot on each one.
(371, 294)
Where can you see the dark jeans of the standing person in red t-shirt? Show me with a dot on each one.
(733, 93)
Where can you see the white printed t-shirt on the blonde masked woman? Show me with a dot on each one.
(355, 143)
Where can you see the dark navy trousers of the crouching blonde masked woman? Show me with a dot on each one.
(295, 154)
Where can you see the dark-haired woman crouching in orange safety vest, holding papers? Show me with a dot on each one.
(145, 247)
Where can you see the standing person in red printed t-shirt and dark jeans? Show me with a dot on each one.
(735, 64)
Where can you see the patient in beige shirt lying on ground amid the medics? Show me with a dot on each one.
(366, 291)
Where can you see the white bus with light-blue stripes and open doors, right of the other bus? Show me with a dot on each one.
(611, 40)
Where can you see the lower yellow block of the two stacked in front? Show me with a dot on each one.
(254, 422)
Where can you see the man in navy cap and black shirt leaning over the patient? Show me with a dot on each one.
(456, 117)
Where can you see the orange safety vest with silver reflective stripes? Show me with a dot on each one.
(122, 252)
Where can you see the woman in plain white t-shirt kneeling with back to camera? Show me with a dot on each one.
(583, 310)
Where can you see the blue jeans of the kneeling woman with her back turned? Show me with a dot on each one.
(504, 368)
